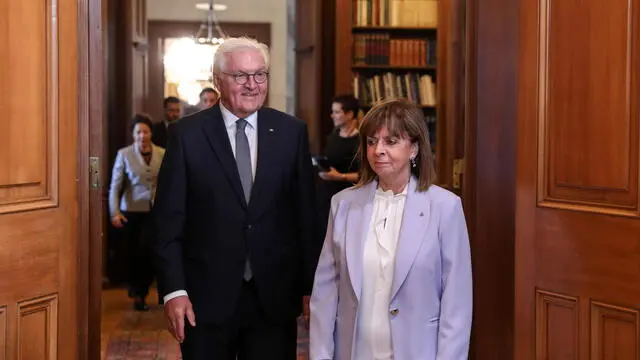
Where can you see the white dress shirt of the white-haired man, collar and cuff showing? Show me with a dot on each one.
(252, 135)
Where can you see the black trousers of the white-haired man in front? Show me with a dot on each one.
(249, 336)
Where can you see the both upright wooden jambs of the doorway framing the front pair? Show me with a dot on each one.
(491, 42)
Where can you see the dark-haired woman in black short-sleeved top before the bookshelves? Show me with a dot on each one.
(340, 150)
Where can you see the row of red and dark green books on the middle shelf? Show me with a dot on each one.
(381, 49)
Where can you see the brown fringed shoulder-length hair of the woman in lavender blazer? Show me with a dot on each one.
(402, 119)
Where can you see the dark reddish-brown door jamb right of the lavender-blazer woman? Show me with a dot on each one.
(492, 52)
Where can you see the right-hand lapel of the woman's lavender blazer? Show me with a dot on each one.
(415, 220)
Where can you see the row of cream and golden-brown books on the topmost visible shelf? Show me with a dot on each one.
(395, 13)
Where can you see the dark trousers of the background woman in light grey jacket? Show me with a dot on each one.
(138, 235)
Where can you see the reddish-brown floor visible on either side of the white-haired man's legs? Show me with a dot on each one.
(131, 335)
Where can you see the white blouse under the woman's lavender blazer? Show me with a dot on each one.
(373, 332)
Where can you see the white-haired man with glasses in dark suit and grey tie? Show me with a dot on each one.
(235, 250)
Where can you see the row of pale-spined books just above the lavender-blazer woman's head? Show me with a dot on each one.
(418, 88)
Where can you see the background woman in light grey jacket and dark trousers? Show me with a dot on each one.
(133, 185)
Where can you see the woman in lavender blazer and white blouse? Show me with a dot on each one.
(394, 276)
